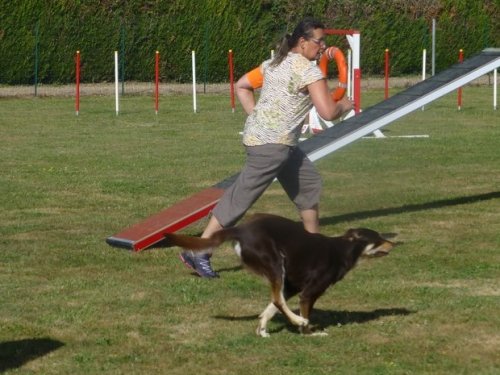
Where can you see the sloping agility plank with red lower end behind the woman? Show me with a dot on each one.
(178, 216)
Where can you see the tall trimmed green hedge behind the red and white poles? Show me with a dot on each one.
(58, 28)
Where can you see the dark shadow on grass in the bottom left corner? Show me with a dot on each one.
(14, 354)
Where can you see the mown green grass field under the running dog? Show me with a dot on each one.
(69, 303)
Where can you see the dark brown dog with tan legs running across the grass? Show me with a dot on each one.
(292, 260)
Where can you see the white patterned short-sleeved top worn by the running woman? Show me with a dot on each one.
(284, 102)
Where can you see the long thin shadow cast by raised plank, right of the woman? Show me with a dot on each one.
(409, 208)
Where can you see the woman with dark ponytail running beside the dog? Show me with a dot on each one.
(292, 84)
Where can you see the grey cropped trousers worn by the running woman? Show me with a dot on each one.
(290, 165)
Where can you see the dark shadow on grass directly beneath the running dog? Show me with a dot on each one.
(322, 319)
